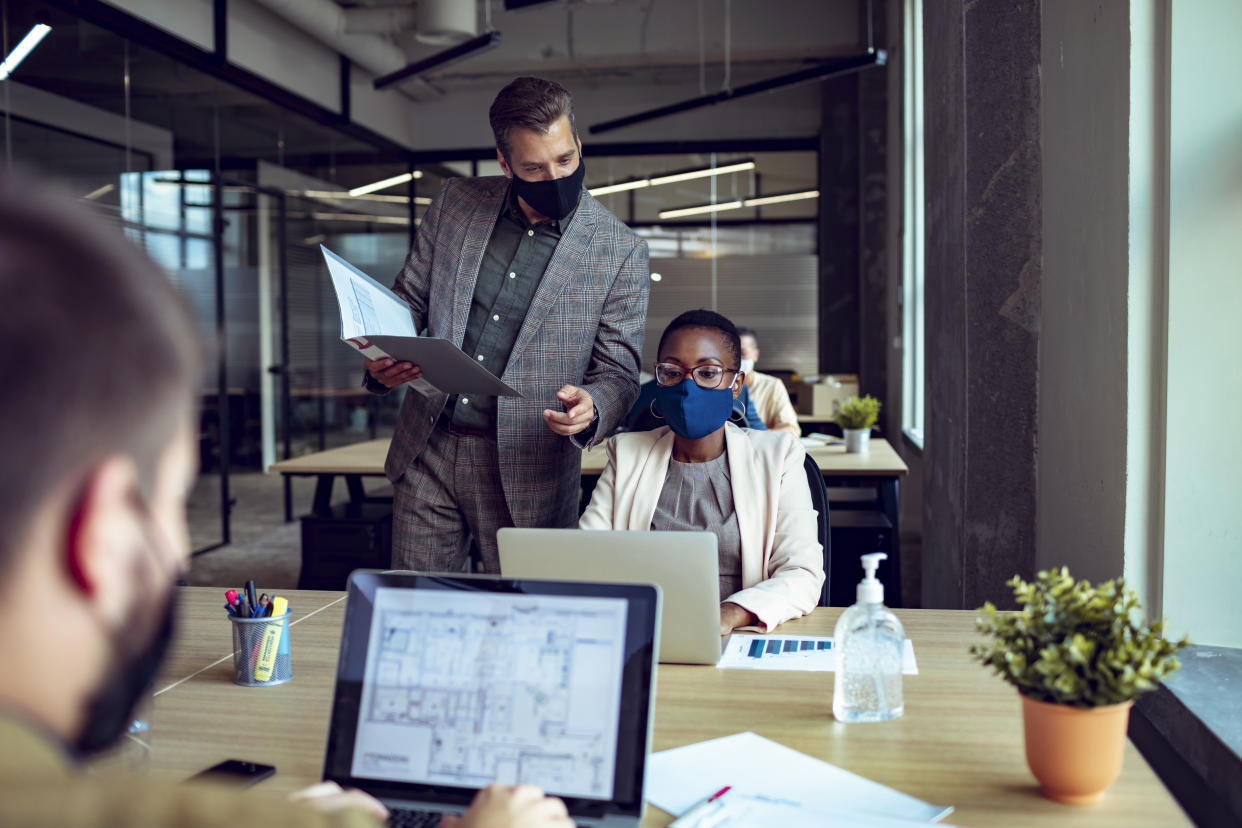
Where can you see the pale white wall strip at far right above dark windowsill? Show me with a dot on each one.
(1203, 529)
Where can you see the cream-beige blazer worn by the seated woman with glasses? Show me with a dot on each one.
(782, 558)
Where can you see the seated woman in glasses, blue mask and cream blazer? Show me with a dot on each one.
(702, 474)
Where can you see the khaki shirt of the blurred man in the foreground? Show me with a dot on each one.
(40, 785)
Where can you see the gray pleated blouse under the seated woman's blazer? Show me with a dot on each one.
(699, 497)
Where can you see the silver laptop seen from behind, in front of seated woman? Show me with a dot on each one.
(685, 564)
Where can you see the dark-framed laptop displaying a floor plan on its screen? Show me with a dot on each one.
(450, 683)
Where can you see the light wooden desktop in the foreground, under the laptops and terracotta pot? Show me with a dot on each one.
(959, 743)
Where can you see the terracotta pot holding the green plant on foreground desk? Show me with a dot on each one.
(1075, 753)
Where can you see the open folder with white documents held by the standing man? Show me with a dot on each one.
(377, 323)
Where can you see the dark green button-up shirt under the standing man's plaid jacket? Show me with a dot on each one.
(514, 265)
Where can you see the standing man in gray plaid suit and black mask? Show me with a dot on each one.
(548, 290)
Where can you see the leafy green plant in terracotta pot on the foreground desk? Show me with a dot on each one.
(1080, 656)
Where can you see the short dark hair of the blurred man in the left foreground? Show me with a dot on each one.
(97, 353)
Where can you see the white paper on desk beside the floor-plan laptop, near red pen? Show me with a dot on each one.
(756, 767)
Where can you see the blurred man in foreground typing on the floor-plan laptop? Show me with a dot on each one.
(94, 480)
